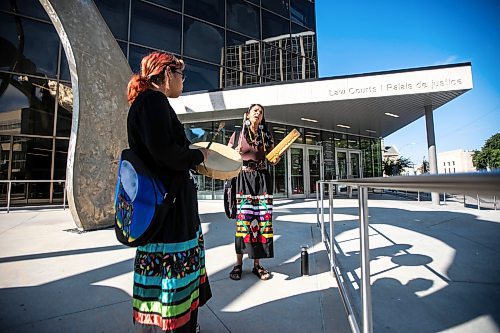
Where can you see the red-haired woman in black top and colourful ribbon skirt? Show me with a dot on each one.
(170, 280)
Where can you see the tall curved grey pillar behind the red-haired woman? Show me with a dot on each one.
(99, 76)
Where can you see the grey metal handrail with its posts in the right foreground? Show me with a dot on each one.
(474, 184)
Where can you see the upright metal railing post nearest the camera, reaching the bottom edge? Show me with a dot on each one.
(366, 302)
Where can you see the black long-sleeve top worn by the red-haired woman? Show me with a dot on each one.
(157, 136)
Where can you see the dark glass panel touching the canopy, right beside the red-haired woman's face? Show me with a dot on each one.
(201, 76)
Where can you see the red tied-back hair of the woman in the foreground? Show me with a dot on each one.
(152, 65)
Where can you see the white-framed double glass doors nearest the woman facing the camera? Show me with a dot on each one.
(304, 169)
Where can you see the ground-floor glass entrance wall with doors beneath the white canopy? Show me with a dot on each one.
(314, 155)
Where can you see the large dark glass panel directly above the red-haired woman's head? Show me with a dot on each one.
(155, 27)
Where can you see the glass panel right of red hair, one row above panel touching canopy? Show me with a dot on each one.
(203, 41)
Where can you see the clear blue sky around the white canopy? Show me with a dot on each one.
(371, 36)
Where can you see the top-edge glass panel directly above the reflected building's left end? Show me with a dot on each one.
(243, 17)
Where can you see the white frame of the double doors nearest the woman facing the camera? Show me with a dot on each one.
(306, 179)
